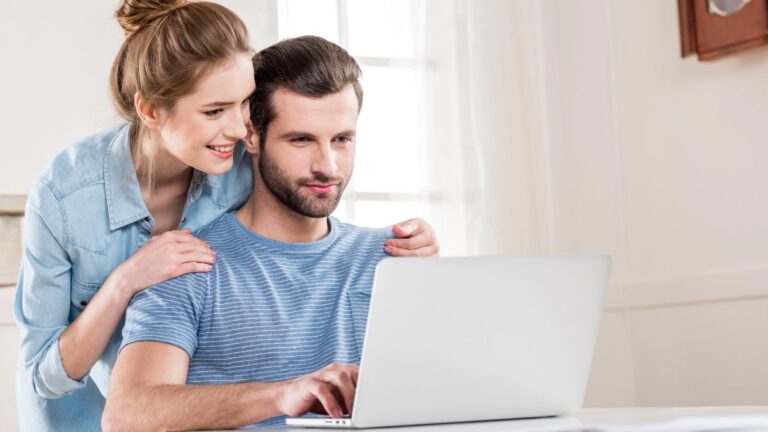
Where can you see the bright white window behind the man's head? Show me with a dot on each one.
(389, 182)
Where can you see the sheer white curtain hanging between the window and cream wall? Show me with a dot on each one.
(482, 133)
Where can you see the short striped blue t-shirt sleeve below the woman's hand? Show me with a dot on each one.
(168, 312)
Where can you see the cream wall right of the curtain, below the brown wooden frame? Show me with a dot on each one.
(660, 161)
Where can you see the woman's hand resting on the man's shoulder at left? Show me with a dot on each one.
(164, 257)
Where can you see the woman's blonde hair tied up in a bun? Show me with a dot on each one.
(168, 46)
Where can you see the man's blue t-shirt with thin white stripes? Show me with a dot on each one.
(268, 310)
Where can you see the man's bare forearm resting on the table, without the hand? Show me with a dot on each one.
(185, 407)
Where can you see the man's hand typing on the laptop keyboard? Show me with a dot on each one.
(330, 390)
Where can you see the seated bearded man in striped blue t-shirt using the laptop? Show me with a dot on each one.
(276, 328)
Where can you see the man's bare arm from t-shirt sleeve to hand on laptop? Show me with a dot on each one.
(148, 392)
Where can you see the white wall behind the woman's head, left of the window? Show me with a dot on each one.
(56, 59)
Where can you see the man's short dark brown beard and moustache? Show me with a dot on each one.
(293, 193)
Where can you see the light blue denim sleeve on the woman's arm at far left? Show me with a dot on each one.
(42, 304)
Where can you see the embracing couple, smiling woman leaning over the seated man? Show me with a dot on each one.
(262, 312)
